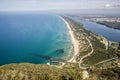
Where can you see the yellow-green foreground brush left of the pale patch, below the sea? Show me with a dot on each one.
(27, 71)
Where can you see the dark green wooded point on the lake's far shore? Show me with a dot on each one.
(115, 25)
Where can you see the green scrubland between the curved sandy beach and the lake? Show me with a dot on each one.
(99, 54)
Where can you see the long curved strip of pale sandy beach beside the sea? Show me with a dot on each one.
(75, 42)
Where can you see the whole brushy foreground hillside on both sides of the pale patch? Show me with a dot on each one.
(27, 71)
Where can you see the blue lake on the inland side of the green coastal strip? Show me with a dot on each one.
(109, 33)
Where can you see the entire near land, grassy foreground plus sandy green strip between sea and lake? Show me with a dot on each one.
(91, 57)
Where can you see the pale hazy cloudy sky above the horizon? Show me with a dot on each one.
(44, 5)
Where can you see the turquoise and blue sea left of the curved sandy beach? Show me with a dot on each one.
(24, 37)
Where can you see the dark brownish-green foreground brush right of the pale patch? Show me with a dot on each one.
(104, 74)
